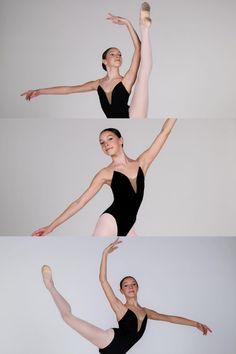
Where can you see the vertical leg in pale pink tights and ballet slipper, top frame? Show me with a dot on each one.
(139, 103)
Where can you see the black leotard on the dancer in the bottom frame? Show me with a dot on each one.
(126, 335)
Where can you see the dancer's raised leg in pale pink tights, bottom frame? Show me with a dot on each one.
(100, 338)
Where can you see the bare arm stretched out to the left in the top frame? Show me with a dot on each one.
(61, 90)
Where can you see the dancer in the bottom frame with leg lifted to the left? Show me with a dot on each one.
(131, 317)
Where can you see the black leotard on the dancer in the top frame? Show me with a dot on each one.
(118, 108)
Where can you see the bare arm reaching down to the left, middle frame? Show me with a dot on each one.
(75, 206)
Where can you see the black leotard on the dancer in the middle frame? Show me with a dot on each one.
(126, 200)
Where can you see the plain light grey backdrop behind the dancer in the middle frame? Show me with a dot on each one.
(46, 164)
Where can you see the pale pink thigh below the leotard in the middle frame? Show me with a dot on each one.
(106, 226)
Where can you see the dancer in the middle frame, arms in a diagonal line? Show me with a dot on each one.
(126, 178)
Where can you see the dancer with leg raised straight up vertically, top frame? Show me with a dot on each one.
(114, 89)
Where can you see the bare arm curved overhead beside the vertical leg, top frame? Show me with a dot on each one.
(131, 74)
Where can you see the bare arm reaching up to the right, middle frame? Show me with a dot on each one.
(147, 157)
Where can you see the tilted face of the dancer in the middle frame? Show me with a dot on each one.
(110, 143)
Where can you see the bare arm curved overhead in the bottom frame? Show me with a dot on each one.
(115, 303)
